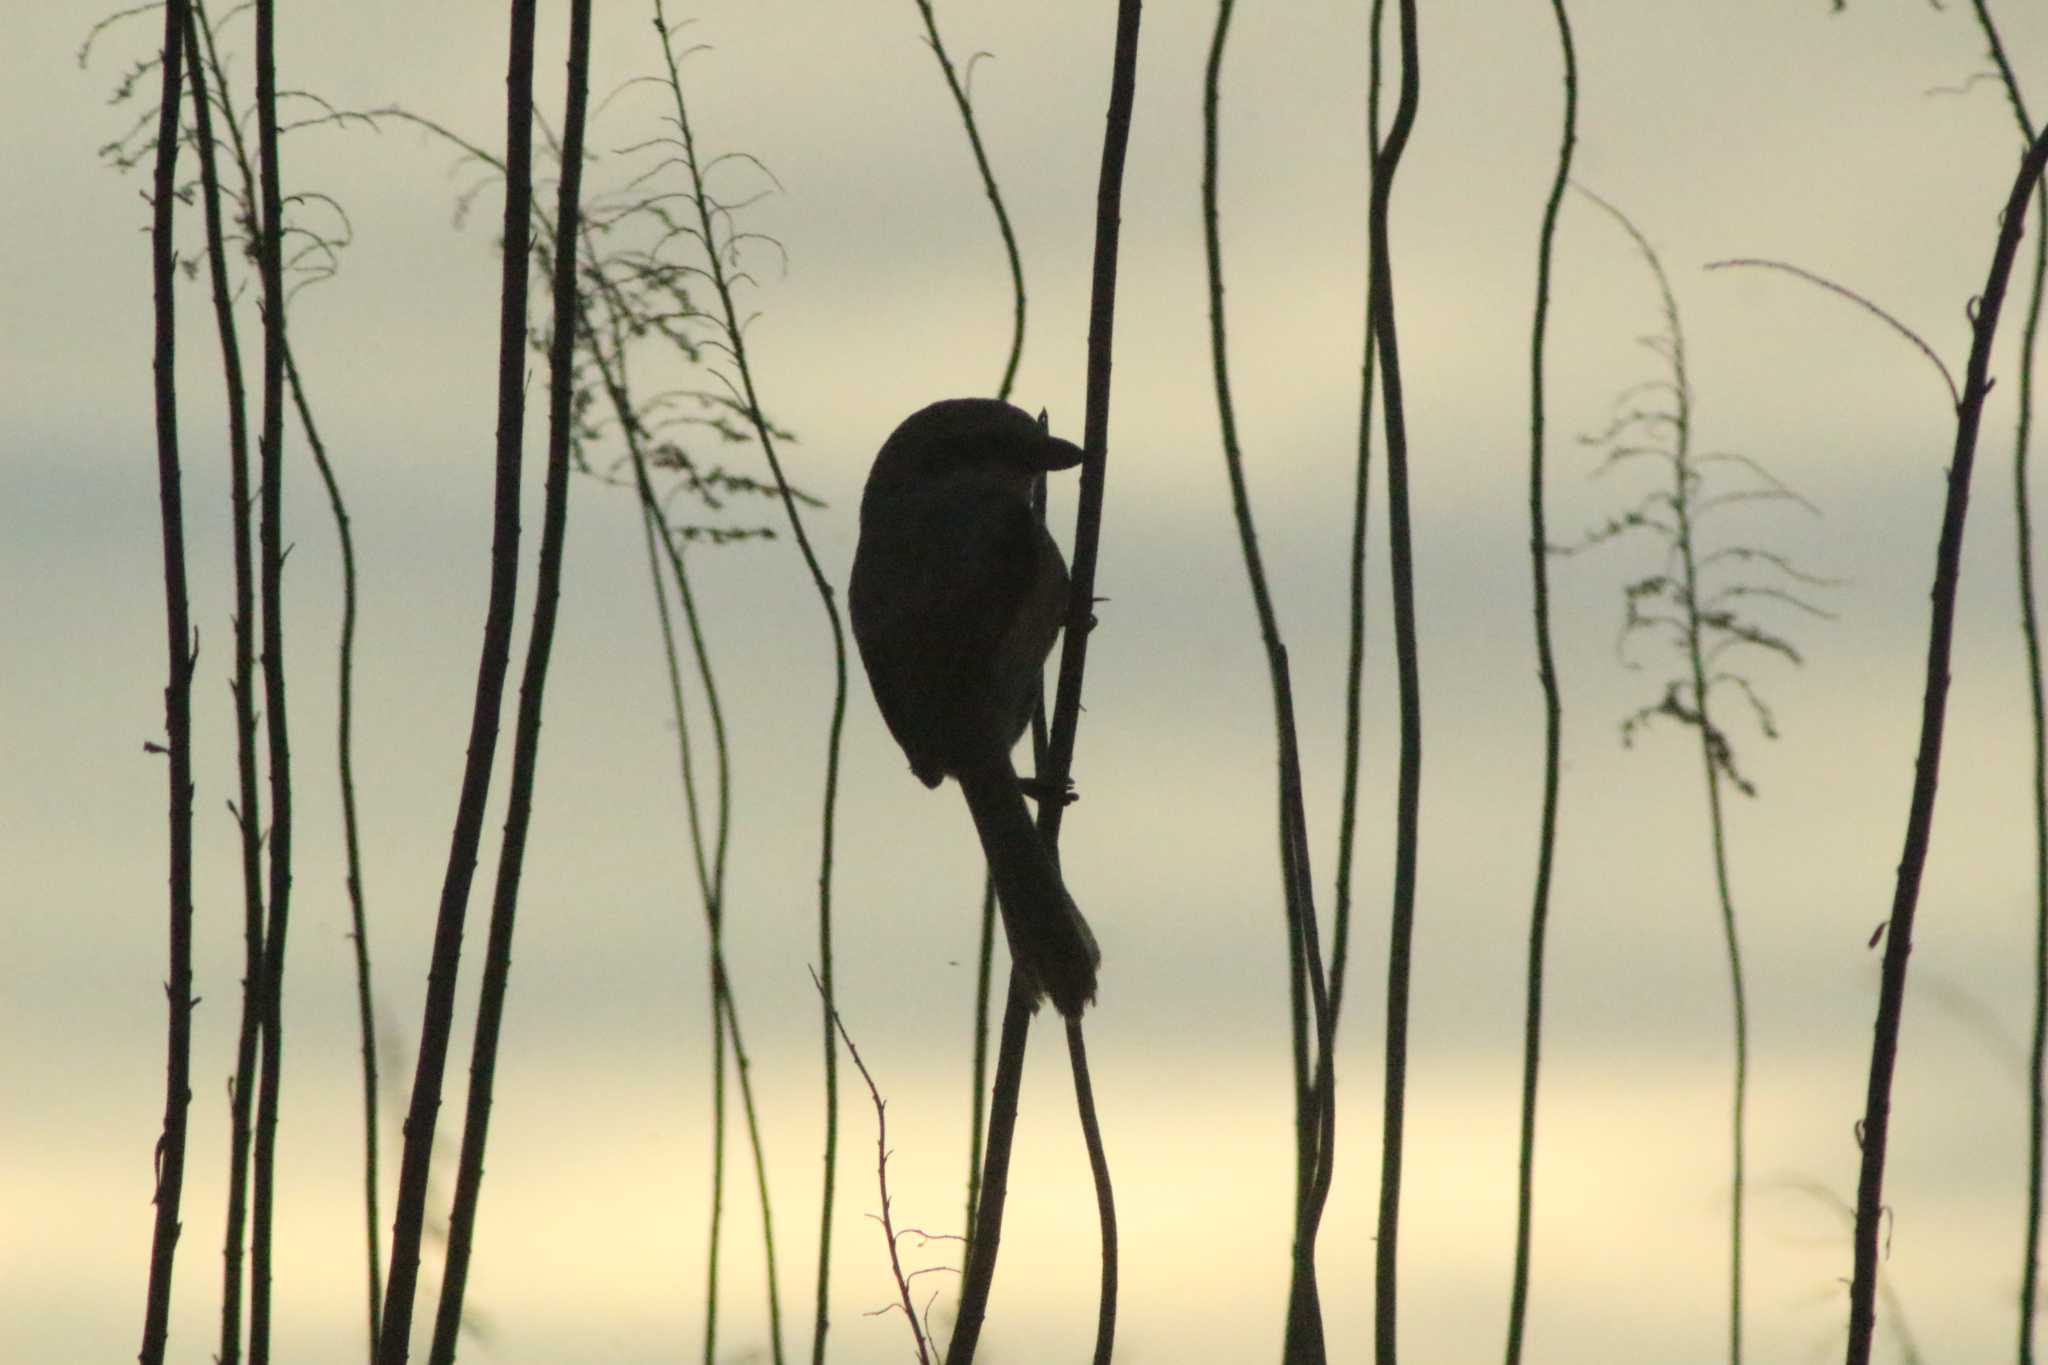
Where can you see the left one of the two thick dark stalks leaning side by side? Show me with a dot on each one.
(439, 1016)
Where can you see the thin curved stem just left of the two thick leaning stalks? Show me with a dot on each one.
(351, 840)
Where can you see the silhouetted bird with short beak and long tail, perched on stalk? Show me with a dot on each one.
(957, 597)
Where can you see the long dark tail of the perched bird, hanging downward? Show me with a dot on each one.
(1048, 934)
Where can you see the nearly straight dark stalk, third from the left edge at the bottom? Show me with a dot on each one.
(271, 578)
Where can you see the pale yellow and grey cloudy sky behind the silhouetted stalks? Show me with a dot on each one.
(1854, 144)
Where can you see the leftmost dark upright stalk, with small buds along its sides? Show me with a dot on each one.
(177, 707)
